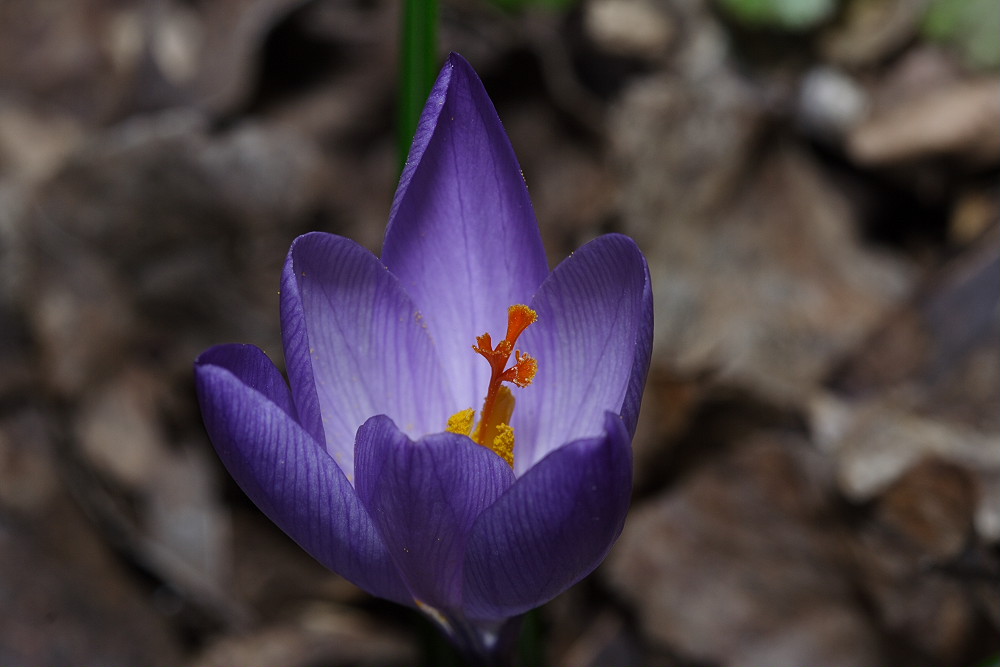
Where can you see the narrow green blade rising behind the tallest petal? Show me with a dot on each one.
(418, 68)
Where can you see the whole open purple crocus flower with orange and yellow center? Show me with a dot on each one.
(375, 460)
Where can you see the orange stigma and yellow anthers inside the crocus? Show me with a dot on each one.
(493, 429)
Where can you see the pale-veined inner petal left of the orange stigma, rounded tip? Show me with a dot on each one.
(355, 345)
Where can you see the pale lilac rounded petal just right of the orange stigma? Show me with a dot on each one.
(591, 314)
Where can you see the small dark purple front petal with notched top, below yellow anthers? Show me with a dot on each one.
(424, 497)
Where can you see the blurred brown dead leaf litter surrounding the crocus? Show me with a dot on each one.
(814, 182)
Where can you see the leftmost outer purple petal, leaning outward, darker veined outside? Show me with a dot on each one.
(288, 475)
